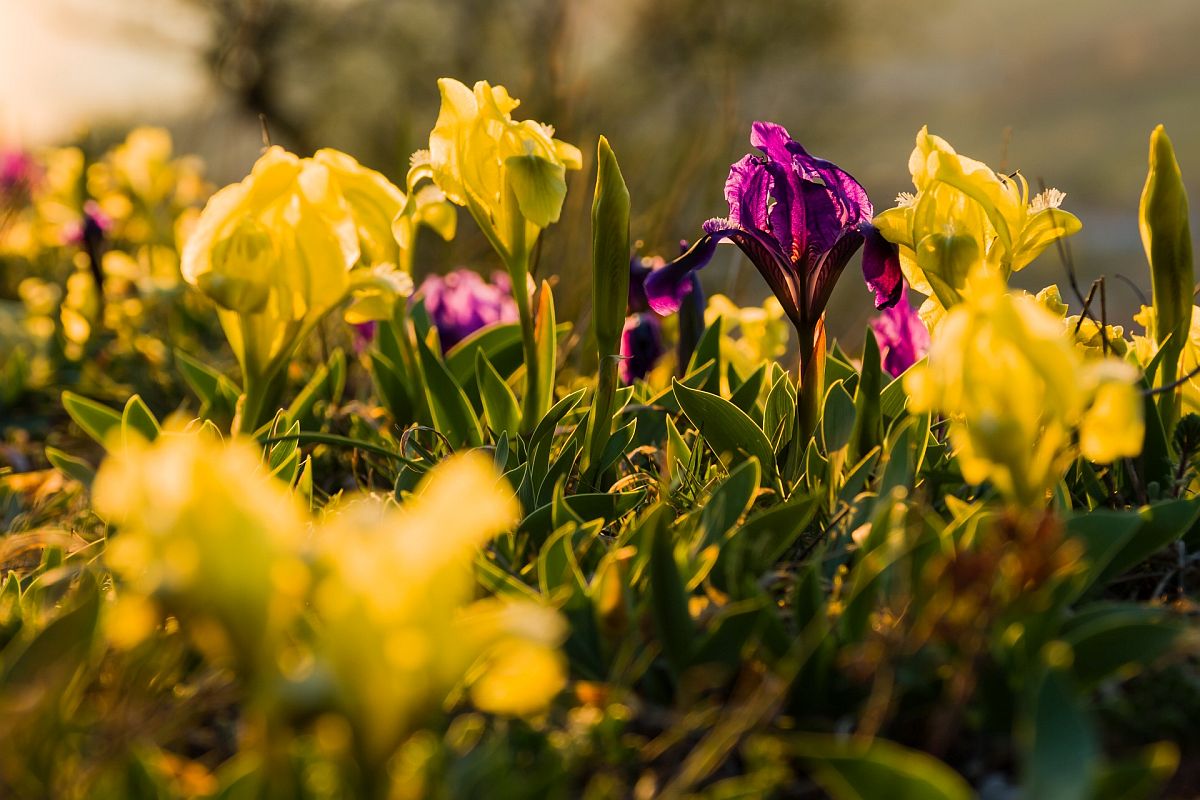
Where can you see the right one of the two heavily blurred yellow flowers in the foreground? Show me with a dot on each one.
(399, 628)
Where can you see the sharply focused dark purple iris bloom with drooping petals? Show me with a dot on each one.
(800, 220)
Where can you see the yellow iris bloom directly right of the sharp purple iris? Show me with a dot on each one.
(965, 215)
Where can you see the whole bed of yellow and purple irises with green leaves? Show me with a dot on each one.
(493, 554)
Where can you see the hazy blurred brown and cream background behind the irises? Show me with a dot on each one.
(1065, 92)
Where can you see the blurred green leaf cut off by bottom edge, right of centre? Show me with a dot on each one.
(849, 769)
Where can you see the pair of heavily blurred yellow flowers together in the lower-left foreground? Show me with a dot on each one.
(387, 593)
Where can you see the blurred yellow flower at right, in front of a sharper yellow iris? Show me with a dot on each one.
(1016, 389)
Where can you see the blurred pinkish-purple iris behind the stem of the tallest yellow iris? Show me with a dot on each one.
(461, 303)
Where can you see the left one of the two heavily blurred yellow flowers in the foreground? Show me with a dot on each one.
(202, 532)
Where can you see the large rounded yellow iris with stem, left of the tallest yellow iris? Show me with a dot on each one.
(285, 246)
